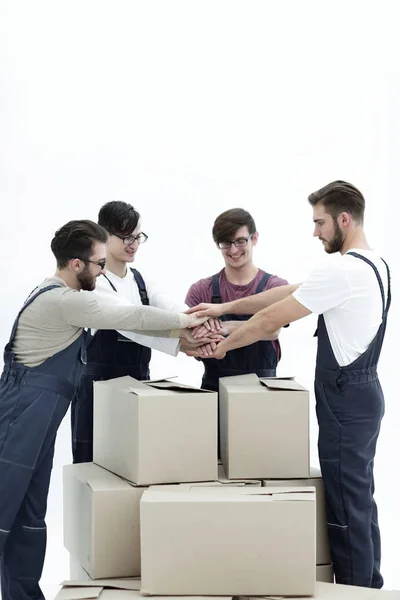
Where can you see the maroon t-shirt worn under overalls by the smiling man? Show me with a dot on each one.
(201, 291)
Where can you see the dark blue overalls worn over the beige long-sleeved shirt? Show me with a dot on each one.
(33, 402)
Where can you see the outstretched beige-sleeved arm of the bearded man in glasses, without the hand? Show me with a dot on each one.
(87, 312)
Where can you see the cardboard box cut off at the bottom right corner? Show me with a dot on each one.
(334, 591)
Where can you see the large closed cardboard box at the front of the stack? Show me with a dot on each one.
(228, 541)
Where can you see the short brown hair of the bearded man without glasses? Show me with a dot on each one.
(340, 196)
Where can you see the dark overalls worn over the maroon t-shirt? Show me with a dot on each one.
(259, 358)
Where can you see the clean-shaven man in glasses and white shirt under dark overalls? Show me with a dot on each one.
(118, 353)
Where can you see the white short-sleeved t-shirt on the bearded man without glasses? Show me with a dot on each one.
(346, 291)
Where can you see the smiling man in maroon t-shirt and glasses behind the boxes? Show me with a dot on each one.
(235, 235)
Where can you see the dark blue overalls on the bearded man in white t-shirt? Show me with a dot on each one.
(350, 406)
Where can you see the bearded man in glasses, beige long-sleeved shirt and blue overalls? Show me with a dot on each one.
(43, 362)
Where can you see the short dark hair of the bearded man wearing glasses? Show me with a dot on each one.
(75, 240)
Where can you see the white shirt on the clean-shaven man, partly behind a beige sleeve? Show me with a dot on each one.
(128, 293)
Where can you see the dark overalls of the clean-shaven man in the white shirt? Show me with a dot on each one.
(109, 355)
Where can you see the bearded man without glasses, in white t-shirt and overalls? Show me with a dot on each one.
(352, 298)
